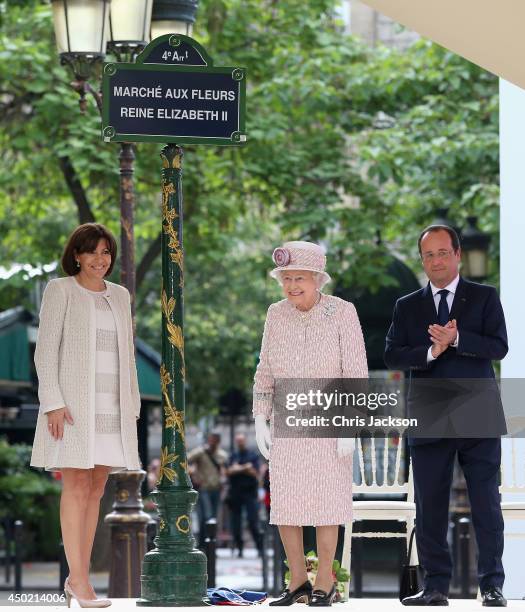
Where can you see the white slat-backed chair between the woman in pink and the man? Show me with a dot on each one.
(379, 469)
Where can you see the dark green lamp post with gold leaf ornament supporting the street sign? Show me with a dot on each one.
(173, 573)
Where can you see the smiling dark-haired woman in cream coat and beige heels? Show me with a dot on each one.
(88, 392)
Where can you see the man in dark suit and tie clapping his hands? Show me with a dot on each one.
(452, 328)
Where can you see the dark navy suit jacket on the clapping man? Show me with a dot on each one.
(472, 402)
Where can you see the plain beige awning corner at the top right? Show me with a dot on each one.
(489, 33)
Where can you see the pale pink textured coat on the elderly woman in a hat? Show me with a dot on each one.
(309, 483)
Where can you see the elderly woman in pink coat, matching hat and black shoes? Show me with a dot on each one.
(307, 335)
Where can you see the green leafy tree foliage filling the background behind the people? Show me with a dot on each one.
(346, 144)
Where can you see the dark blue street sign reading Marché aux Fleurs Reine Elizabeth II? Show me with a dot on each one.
(174, 94)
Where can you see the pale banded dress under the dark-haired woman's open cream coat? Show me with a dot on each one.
(109, 449)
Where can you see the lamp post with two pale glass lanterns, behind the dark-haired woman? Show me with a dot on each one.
(83, 31)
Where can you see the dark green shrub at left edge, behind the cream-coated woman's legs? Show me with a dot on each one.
(30, 497)
